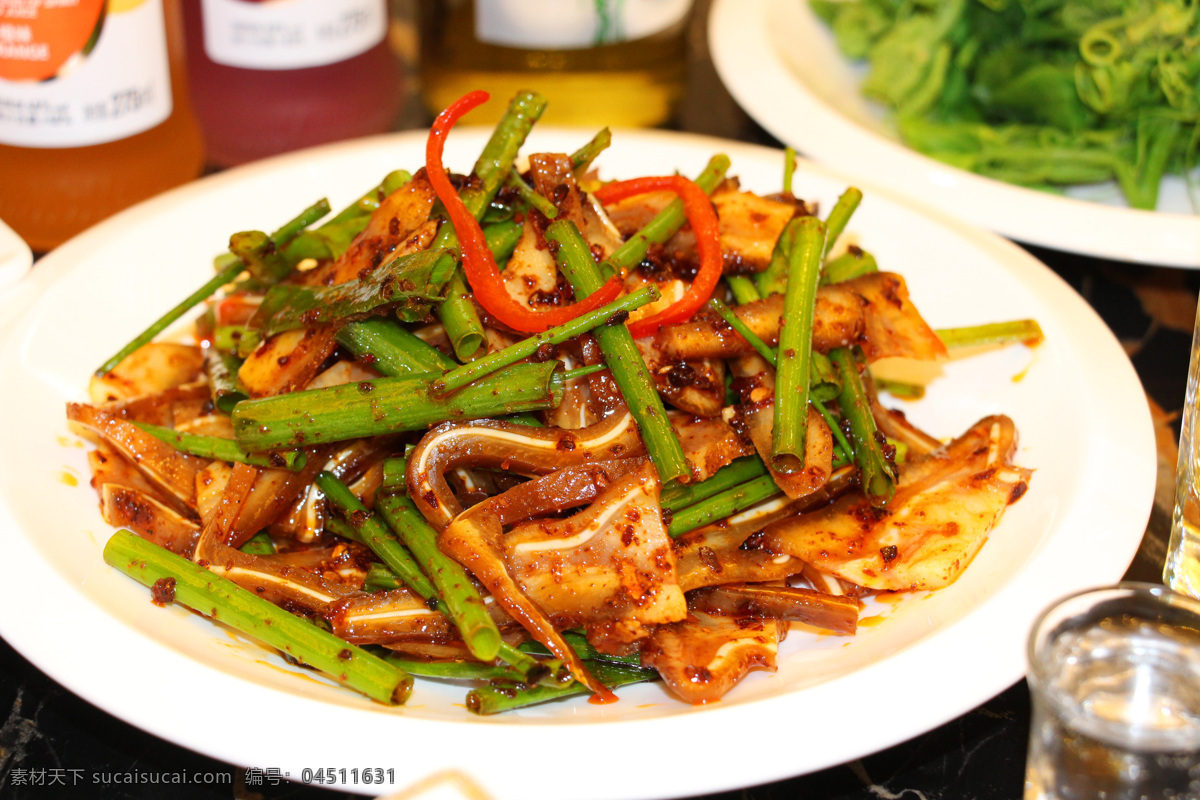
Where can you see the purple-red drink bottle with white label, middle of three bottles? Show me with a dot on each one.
(274, 76)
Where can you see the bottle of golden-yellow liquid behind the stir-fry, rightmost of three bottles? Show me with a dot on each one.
(617, 63)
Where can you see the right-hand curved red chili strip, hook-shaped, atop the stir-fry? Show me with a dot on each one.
(703, 219)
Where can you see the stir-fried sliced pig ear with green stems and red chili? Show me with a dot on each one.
(541, 432)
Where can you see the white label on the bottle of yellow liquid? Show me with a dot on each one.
(573, 25)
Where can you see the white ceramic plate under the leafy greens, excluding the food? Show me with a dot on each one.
(782, 65)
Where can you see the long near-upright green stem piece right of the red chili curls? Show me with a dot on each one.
(793, 375)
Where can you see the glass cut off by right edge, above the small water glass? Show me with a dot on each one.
(1183, 568)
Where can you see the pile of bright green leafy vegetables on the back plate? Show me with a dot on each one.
(1043, 94)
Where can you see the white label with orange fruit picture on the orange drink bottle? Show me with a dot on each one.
(82, 73)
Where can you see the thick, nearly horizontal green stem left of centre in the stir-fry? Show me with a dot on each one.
(373, 408)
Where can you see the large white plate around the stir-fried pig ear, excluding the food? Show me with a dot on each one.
(1077, 402)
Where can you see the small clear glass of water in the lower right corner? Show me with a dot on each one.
(1115, 681)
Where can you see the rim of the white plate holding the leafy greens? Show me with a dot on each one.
(747, 61)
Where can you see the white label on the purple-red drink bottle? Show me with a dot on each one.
(291, 34)
